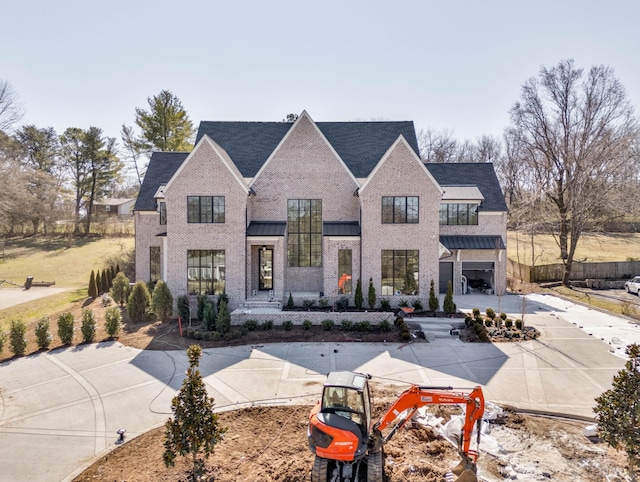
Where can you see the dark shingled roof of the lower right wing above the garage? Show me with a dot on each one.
(479, 174)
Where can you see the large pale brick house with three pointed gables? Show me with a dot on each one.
(272, 208)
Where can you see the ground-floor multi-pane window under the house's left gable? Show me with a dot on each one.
(205, 272)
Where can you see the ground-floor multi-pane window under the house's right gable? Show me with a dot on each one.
(400, 272)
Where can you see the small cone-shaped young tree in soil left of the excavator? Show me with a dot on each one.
(194, 428)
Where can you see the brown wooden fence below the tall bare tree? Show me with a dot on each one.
(617, 270)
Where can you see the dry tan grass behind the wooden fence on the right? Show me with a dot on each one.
(592, 247)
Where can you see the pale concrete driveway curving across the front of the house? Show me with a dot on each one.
(61, 410)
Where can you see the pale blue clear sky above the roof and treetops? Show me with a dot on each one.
(449, 66)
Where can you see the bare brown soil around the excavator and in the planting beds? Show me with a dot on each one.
(268, 444)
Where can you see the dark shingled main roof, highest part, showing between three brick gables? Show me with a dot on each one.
(359, 144)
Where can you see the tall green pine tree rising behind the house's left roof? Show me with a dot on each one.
(166, 125)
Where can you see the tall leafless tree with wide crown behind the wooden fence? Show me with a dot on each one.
(575, 130)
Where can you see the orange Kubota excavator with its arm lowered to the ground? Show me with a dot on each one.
(348, 445)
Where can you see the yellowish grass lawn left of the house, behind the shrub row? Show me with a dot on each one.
(49, 258)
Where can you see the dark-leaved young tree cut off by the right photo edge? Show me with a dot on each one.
(618, 411)
